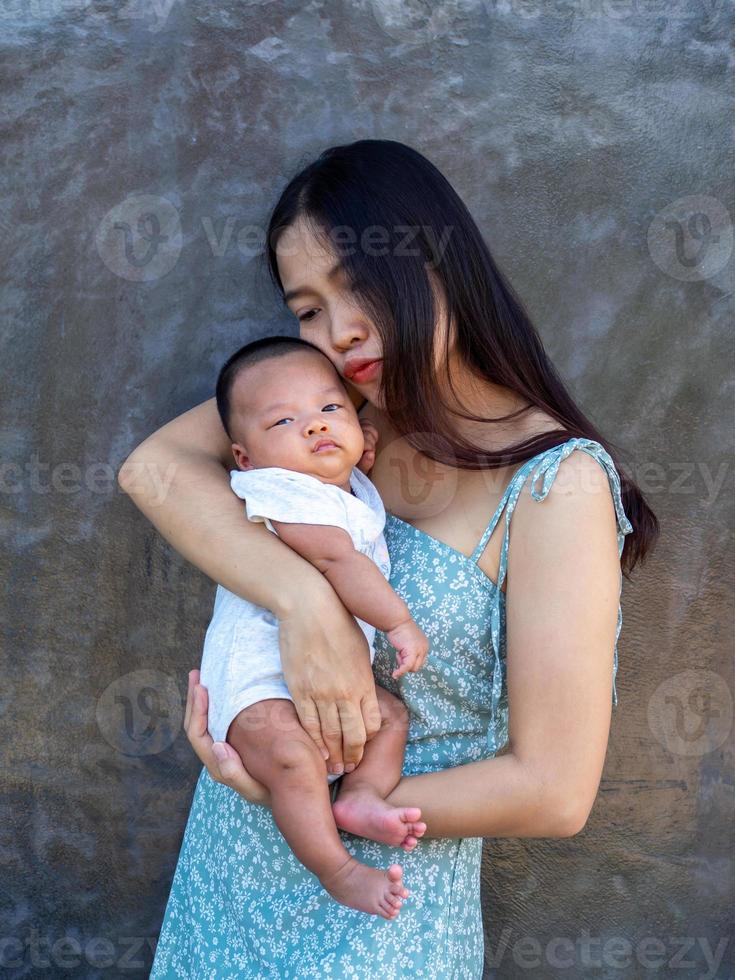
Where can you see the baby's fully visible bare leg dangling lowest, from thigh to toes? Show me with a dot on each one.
(277, 752)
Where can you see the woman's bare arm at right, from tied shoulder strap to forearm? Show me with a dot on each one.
(562, 598)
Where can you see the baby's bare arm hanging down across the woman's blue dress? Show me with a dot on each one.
(361, 586)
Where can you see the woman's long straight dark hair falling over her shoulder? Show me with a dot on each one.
(387, 211)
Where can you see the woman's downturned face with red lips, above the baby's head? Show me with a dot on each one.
(318, 293)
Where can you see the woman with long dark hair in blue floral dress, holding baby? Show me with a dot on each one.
(386, 272)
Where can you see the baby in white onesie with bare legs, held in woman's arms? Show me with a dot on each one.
(297, 440)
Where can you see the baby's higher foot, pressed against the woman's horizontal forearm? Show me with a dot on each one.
(363, 812)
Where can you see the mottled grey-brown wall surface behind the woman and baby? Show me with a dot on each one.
(592, 140)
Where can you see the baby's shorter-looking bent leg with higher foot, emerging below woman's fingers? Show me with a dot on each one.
(360, 807)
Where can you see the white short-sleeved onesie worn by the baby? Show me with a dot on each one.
(241, 661)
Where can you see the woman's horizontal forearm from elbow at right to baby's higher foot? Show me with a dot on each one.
(496, 797)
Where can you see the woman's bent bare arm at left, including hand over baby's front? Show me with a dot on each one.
(178, 478)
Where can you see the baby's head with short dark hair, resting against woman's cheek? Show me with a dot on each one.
(278, 397)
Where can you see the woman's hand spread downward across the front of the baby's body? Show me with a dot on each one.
(326, 665)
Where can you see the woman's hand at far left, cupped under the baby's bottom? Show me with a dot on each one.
(223, 764)
